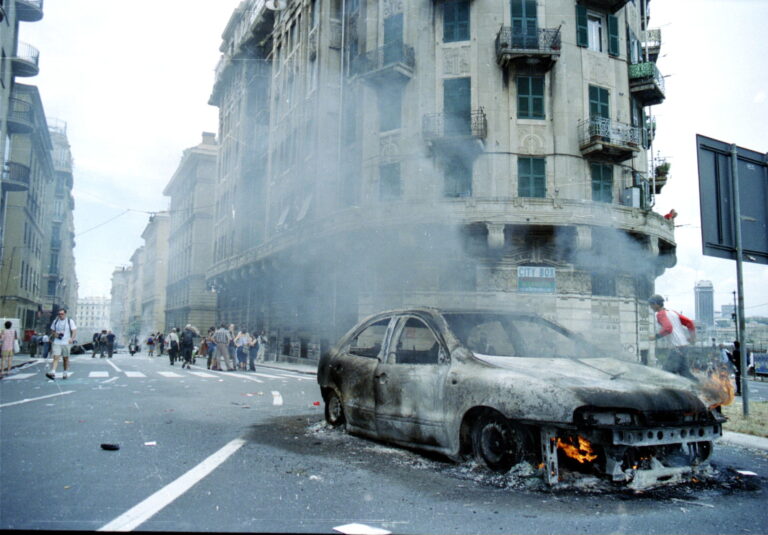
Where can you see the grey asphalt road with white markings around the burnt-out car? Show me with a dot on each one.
(245, 452)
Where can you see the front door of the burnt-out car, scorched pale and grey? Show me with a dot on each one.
(409, 385)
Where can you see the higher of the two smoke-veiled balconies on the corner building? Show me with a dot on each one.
(393, 63)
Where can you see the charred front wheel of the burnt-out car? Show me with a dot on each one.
(495, 442)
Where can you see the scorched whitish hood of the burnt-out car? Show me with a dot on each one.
(606, 382)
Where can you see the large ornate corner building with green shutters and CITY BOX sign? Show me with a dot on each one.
(452, 153)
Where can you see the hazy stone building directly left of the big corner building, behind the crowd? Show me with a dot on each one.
(191, 191)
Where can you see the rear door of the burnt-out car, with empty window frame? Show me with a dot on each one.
(353, 371)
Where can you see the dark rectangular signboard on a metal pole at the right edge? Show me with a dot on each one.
(717, 201)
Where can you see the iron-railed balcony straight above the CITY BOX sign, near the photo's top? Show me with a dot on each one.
(541, 48)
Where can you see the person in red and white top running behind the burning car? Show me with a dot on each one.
(678, 332)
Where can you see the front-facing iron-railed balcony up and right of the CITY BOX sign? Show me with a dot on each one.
(601, 138)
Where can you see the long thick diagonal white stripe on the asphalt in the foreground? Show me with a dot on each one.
(145, 510)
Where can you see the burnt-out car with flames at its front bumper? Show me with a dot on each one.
(507, 388)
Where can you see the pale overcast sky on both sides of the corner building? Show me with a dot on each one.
(133, 82)
